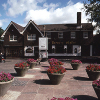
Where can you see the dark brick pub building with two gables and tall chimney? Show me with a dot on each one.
(64, 40)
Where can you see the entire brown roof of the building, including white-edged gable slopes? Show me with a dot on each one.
(51, 27)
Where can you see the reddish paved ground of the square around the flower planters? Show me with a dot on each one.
(35, 85)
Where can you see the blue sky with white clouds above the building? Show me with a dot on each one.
(40, 11)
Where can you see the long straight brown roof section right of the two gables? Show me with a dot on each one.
(65, 27)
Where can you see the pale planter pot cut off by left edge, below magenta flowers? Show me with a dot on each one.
(4, 86)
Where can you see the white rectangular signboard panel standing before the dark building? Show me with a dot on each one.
(43, 43)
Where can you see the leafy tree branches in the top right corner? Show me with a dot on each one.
(93, 10)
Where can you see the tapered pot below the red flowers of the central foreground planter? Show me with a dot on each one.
(55, 78)
